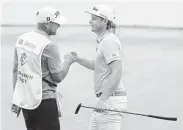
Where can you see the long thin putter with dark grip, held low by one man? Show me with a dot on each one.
(152, 116)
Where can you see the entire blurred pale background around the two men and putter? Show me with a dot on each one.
(151, 34)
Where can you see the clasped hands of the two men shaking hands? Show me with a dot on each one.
(71, 57)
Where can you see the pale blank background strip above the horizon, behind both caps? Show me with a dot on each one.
(163, 14)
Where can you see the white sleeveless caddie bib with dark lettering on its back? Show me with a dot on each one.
(28, 88)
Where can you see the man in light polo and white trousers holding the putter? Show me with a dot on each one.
(108, 79)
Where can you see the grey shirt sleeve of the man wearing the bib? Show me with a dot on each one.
(53, 58)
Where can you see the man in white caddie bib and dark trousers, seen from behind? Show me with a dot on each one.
(37, 70)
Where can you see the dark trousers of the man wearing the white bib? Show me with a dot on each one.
(44, 117)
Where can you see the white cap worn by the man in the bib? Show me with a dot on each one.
(49, 14)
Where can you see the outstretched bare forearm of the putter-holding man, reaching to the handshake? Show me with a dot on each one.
(86, 63)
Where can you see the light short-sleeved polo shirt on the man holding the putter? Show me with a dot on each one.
(108, 49)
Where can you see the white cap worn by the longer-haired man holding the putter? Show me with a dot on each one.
(103, 11)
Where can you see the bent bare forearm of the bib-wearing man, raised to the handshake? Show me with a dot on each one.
(66, 66)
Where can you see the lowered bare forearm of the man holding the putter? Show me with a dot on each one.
(111, 84)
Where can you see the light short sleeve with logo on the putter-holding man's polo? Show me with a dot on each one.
(111, 50)
